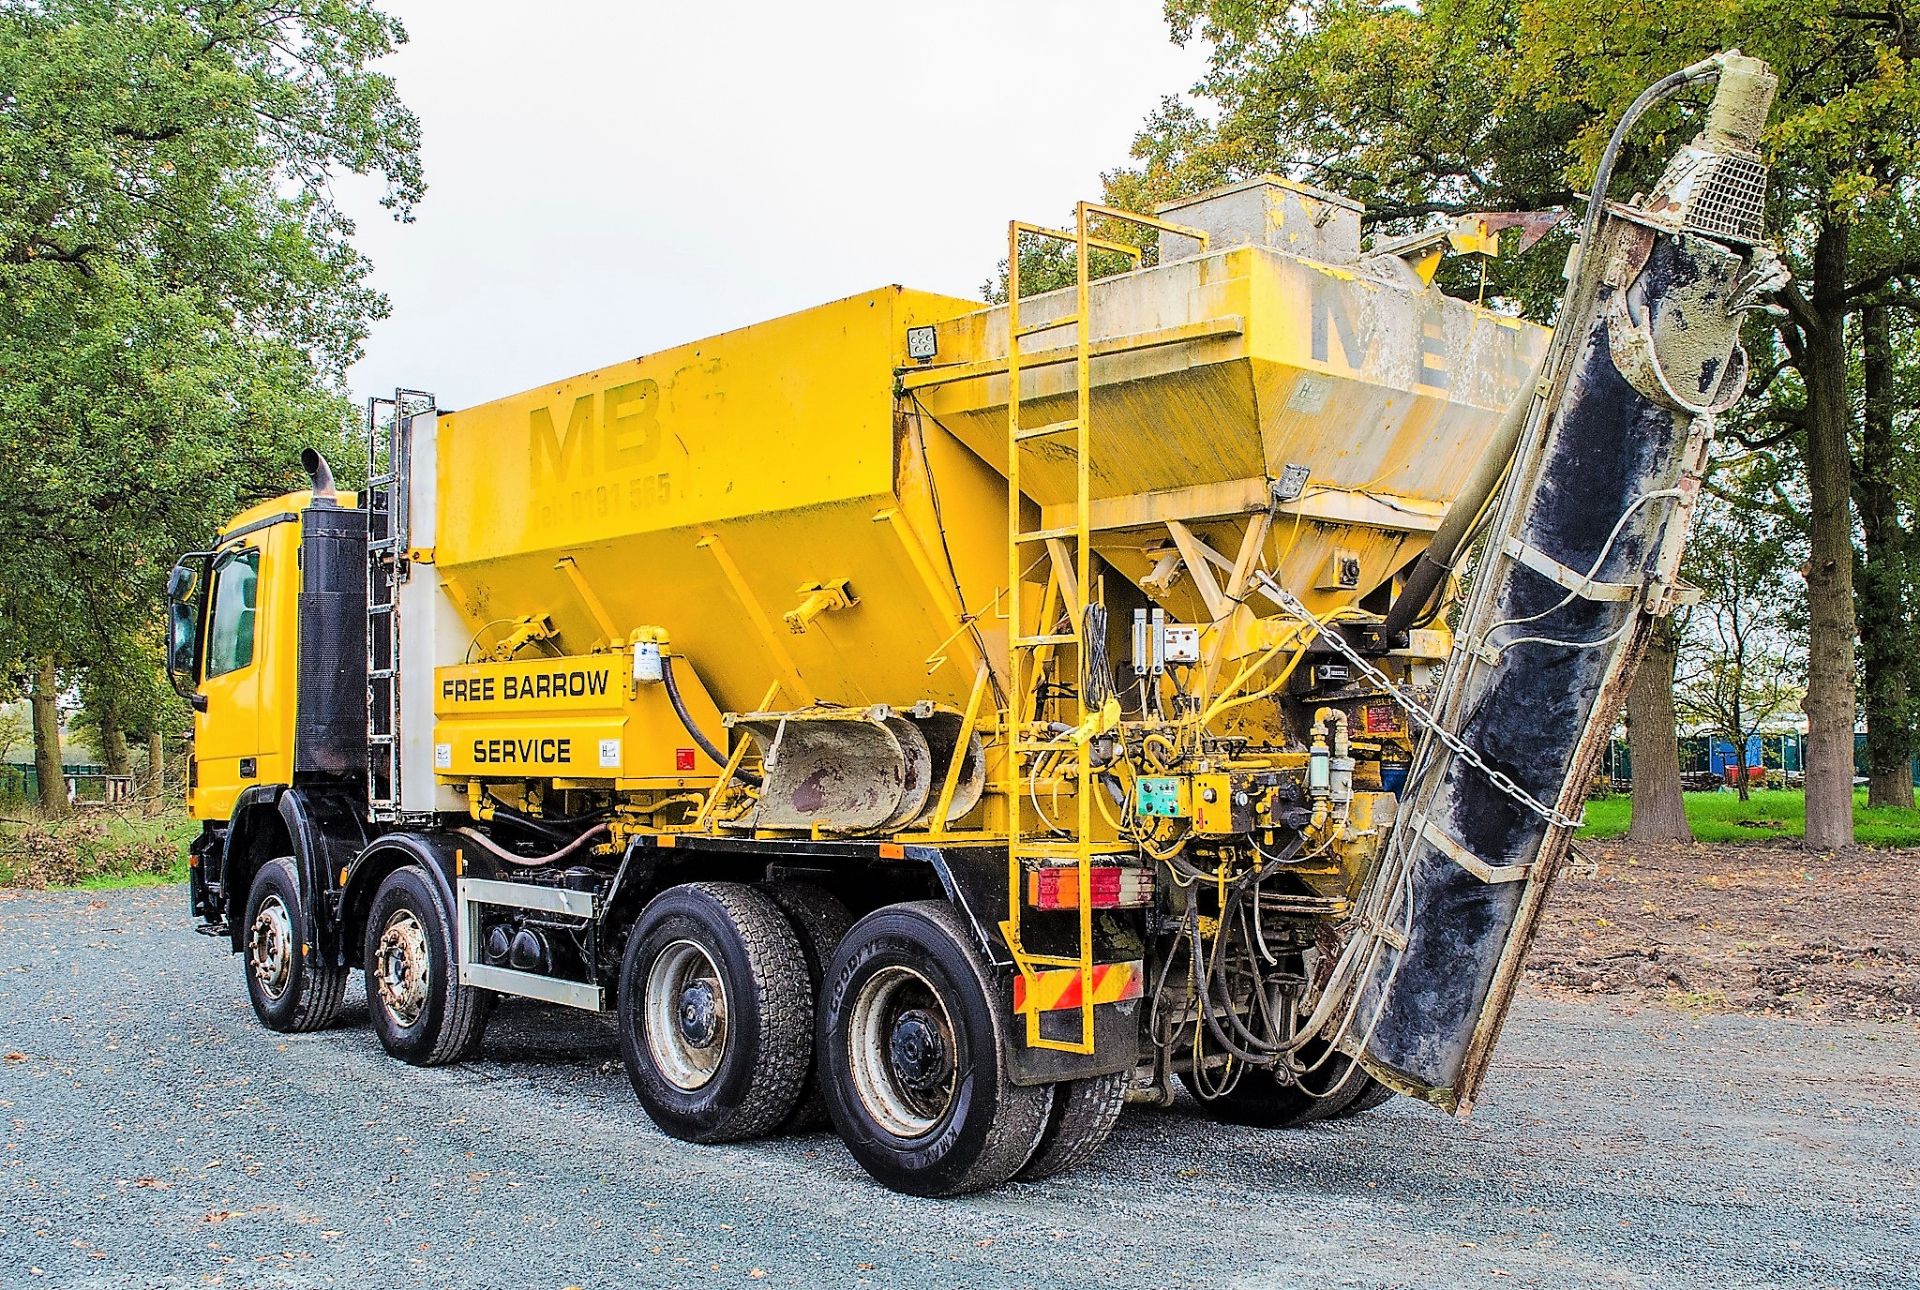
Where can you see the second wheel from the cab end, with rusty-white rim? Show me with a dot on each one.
(420, 1009)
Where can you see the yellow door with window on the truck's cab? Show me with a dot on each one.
(228, 729)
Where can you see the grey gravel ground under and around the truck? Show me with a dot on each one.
(158, 1137)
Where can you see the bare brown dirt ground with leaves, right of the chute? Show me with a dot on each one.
(1737, 928)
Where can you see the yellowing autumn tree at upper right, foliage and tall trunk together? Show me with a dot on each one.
(1506, 105)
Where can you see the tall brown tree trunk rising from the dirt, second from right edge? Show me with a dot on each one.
(1831, 702)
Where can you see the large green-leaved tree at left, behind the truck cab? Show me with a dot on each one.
(180, 295)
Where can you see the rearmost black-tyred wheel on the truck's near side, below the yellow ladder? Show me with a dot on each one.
(913, 1059)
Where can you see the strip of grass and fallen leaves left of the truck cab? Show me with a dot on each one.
(93, 849)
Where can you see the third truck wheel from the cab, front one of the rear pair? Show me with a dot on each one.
(715, 1013)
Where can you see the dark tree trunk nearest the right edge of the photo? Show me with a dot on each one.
(1881, 594)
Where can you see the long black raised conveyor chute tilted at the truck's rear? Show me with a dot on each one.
(1579, 563)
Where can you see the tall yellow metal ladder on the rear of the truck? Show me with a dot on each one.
(1034, 644)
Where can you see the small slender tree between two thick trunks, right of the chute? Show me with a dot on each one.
(1740, 665)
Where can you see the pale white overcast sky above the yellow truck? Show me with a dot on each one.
(610, 179)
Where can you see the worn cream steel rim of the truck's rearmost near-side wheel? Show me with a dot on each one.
(896, 1007)
